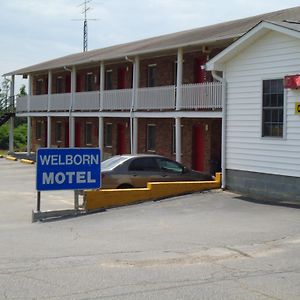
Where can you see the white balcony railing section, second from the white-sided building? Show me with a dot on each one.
(156, 98)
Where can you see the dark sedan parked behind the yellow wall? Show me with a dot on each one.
(135, 171)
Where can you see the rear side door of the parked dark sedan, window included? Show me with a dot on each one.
(143, 170)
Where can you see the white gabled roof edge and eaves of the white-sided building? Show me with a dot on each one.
(291, 28)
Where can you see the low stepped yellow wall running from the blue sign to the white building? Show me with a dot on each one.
(107, 198)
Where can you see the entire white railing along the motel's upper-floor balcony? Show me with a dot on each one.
(205, 96)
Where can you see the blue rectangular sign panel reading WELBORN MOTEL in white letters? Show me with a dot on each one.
(68, 169)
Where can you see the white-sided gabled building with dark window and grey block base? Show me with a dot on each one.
(261, 128)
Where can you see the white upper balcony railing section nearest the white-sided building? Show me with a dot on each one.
(202, 95)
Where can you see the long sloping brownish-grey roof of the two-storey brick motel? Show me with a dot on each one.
(199, 36)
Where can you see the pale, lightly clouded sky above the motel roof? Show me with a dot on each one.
(33, 31)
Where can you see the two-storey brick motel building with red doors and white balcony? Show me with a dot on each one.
(148, 96)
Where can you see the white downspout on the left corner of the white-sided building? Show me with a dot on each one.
(224, 122)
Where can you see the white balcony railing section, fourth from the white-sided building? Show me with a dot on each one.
(87, 101)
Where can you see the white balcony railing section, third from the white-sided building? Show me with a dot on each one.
(117, 99)
